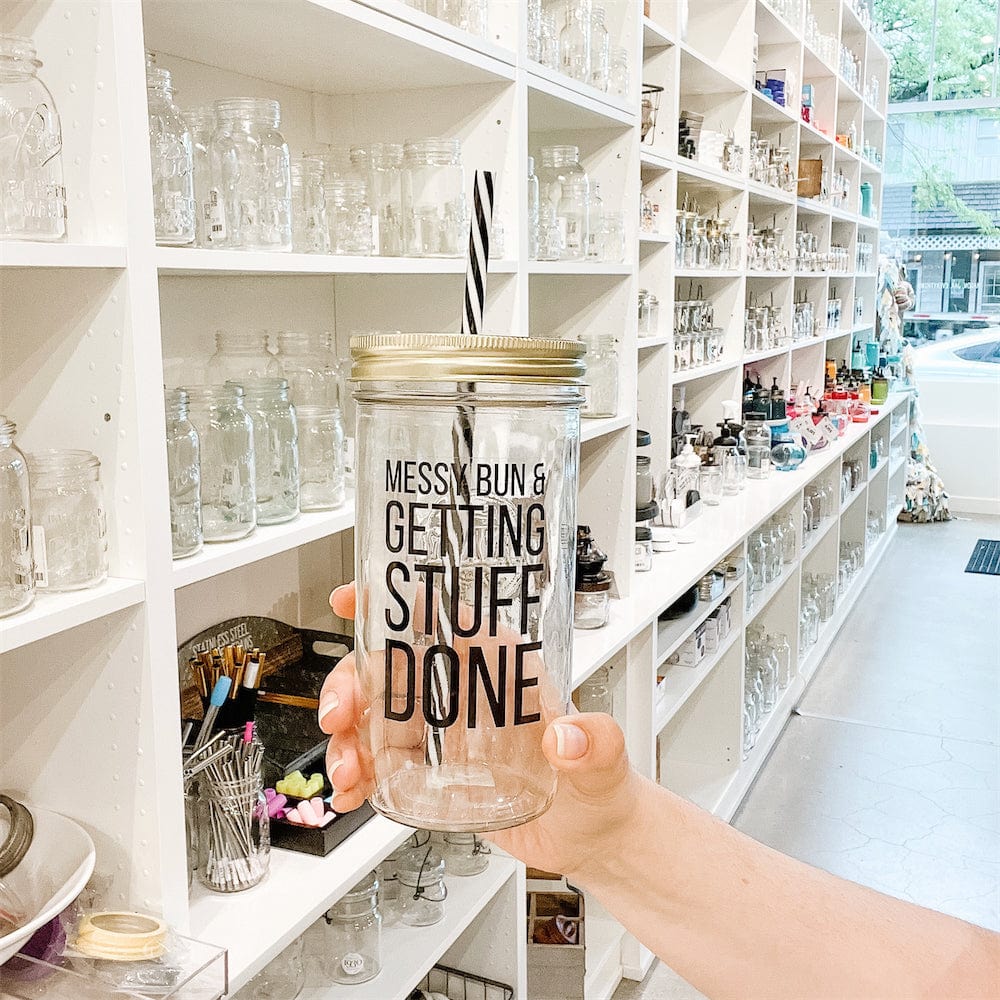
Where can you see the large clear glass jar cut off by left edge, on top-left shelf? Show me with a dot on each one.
(32, 196)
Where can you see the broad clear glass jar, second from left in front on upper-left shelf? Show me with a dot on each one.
(251, 177)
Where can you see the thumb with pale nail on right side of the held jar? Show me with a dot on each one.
(589, 750)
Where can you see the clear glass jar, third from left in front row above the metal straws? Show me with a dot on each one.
(275, 448)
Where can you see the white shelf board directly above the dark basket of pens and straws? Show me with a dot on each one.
(266, 541)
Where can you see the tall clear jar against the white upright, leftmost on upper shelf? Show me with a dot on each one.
(172, 162)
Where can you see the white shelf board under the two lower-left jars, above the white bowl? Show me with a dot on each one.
(54, 613)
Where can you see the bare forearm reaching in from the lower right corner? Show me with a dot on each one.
(737, 919)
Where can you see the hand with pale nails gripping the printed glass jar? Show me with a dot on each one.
(596, 795)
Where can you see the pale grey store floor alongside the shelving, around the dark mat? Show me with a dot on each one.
(889, 772)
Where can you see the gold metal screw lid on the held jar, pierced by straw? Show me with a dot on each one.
(452, 357)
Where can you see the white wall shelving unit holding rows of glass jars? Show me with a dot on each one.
(92, 325)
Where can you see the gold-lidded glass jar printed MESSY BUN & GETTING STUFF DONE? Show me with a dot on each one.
(467, 500)
